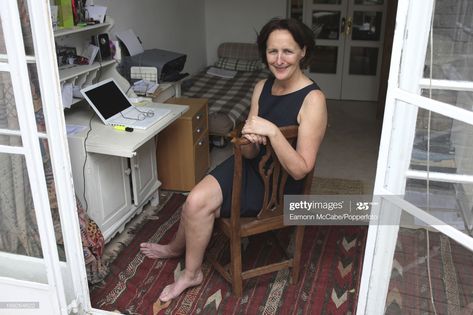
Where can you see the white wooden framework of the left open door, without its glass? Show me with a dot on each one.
(61, 287)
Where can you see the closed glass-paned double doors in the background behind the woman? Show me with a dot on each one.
(349, 42)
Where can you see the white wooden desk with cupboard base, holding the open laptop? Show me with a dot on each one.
(117, 170)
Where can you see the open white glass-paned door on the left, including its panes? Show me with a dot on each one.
(37, 276)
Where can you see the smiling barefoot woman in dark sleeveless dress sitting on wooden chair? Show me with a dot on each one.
(289, 97)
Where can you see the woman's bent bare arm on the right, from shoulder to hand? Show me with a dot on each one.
(312, 120)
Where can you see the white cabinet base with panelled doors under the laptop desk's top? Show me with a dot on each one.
(116, 188)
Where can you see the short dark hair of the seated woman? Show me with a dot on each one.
(301, 33)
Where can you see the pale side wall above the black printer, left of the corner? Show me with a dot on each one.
(176, 25)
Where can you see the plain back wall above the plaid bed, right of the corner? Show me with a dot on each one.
(237, 21)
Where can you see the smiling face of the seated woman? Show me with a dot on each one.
(283, 54)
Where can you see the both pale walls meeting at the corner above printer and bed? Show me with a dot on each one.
(192, 27)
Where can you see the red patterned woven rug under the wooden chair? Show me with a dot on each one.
(329, 280)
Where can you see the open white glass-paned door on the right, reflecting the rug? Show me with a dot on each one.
(424, 180)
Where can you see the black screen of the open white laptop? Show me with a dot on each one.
(108, 99)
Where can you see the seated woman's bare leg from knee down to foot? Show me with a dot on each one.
(198, 215)
